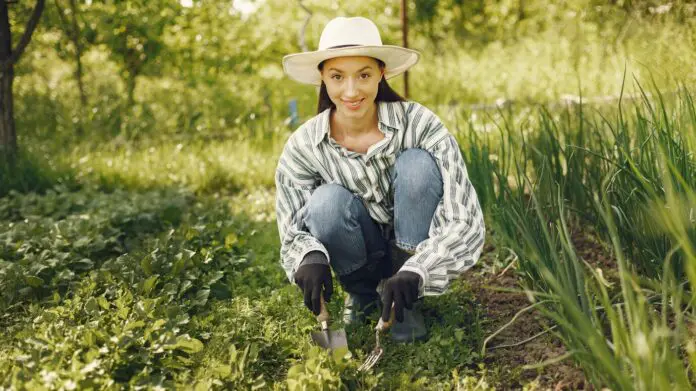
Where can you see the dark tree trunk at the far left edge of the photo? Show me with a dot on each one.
(8, 135)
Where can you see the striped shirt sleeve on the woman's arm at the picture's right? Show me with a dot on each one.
(457, 230)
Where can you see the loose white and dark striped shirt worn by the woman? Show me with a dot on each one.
(311, 158)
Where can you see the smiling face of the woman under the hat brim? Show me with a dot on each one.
(351, 83)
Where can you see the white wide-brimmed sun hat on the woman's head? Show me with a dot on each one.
(342, 37)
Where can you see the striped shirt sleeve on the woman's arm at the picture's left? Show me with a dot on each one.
(295, 183)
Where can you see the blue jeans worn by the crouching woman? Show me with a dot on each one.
(359, 247)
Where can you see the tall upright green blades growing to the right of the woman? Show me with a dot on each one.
(630, 173)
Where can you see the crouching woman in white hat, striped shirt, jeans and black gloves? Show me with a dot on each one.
(373, 187)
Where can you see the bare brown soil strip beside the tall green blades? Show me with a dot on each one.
(499, 307)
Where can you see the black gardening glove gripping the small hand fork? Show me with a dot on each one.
(402, 290)
